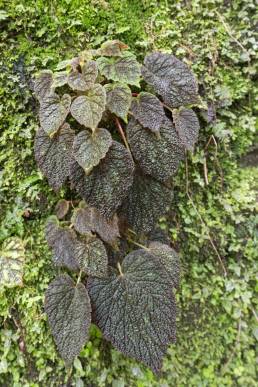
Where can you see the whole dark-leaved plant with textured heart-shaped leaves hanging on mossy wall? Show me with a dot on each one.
(123, 177)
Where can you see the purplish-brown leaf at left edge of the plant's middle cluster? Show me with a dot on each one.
(62, 241)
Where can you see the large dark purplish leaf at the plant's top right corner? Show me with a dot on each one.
(170, 78)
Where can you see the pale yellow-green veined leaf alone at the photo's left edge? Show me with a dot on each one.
(12, 256)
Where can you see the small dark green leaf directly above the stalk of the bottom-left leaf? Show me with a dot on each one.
(92, 257)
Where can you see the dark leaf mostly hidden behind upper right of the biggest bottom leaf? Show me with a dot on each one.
(169, 259)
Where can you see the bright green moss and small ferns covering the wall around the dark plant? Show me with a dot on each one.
(213, 221)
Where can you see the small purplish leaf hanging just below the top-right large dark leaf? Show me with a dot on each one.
(187, 126)
